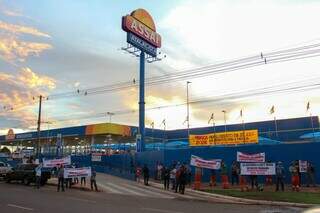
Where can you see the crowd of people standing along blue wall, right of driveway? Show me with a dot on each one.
(178, 175)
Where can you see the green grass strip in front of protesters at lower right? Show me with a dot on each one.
(293, 197)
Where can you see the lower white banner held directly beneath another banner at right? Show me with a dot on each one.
(258, 168)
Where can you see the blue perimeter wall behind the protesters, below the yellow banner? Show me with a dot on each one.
(283, 152)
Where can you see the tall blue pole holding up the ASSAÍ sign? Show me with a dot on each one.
(141, 103)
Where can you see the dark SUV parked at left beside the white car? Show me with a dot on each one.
(26, 174)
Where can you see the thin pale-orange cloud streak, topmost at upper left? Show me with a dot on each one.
(19, 29)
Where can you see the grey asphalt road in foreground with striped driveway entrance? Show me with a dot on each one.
(117, 196)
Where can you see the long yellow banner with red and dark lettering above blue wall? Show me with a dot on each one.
(225, 138)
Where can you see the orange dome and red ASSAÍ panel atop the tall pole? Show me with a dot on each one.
(140, 23)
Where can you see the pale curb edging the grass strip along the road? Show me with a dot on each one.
(230, 199)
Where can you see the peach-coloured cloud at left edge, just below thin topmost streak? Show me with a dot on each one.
(12, 49)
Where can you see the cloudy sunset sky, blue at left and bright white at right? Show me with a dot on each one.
(51, 47)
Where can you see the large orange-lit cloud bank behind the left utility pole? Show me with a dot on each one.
(16, 95)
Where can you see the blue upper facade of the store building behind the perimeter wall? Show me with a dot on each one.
(288, 130)
